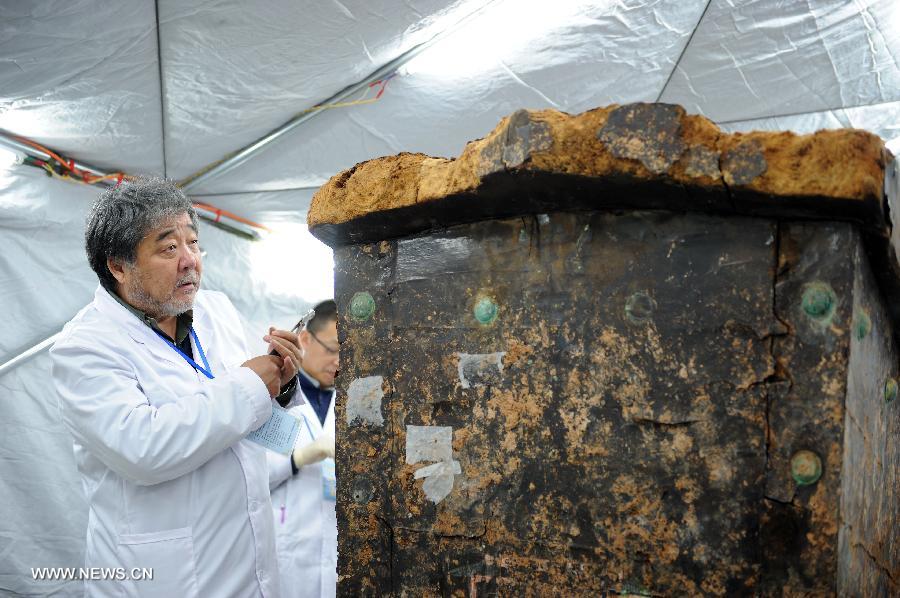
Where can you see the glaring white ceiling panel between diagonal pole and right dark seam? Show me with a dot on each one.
(459, 88)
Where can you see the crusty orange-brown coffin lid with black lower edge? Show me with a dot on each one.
(634, 156)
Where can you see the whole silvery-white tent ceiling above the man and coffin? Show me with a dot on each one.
(84, 76)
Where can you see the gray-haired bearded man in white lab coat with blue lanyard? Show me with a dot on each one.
(156, 385)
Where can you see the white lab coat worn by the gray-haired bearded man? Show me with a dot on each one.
(171, 486)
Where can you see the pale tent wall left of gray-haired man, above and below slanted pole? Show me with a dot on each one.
(45, 280)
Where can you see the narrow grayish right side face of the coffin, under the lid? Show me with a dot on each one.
(869, 547)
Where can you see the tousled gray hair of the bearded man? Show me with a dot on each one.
(123, 215)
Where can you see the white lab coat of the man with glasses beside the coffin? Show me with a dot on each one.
(305, 521)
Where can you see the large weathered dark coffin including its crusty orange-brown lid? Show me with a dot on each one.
(618, 353)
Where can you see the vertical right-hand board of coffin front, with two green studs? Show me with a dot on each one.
(806, 405)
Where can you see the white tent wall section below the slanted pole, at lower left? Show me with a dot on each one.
(44, 514)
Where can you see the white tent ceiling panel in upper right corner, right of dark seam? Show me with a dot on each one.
(757, 58)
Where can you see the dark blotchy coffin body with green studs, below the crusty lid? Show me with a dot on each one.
(626, 395)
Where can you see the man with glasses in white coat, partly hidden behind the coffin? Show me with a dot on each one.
(303, 485)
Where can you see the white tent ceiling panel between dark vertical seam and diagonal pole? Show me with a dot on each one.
(234, 71)
